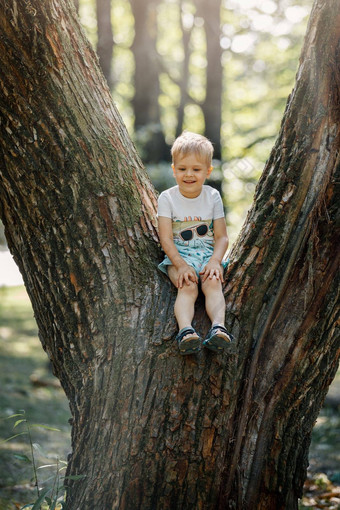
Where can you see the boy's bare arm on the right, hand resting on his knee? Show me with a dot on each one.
(220, 247)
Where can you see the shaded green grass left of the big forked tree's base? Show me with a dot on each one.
(21, 360)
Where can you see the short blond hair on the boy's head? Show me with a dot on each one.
(188, 143)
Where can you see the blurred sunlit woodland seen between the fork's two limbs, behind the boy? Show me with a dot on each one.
(223, 68)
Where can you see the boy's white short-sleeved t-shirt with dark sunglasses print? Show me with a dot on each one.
(192, 218)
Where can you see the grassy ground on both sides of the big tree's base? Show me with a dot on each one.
(27, 385)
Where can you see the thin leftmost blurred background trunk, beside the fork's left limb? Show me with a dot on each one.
(105, 38)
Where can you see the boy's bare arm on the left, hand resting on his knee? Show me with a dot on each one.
(185, 272)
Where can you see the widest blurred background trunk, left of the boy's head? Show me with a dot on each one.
(148, 128)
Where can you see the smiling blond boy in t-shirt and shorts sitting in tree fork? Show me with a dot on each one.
(193, 235)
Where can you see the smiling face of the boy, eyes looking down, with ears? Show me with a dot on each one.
(190, 173)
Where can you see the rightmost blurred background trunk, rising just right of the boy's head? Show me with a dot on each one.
(212, 106)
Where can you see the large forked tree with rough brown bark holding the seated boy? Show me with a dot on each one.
(151, 429)
